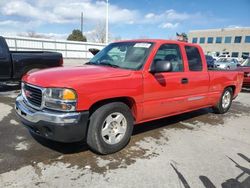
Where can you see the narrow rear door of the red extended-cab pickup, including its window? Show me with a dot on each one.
(197, 78)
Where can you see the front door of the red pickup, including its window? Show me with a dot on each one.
(164, 93)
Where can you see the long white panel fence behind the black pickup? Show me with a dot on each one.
(69, 49)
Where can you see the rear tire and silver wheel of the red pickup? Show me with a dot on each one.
(225, 101)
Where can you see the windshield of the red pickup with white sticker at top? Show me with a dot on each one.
(125, 55)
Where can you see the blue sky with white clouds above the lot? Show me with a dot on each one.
(128, 19)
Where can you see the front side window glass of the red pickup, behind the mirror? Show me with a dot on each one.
(171, 53)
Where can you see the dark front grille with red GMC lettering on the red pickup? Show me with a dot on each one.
(33, 95)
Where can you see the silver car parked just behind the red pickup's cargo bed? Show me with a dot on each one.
(226, 63)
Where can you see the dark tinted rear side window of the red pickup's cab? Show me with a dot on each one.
(194, 58)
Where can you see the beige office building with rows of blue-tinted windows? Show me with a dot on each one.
(232, 41)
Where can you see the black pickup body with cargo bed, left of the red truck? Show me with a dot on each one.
(14, 64)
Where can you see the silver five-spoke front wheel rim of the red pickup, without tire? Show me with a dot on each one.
(114, 128)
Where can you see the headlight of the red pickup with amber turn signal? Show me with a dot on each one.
(60, 99)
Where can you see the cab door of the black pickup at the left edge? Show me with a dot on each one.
(5, 61)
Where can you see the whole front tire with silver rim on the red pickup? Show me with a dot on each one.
(110, 128)
